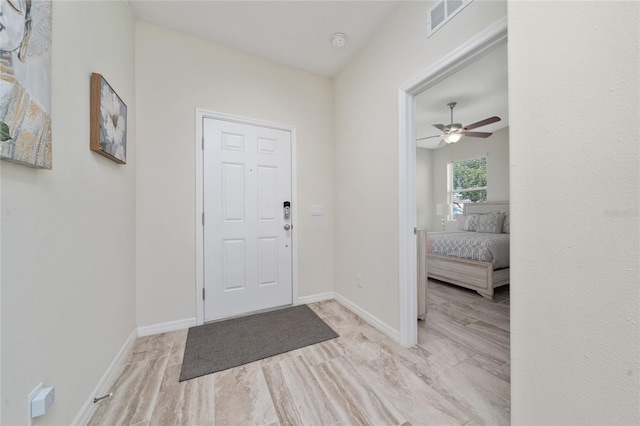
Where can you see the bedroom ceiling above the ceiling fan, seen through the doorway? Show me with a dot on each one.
(480, 90)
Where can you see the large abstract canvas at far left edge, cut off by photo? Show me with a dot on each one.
(25, 82)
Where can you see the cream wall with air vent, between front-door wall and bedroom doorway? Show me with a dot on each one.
(366, 146)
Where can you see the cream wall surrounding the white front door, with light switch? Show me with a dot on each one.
(177, 74)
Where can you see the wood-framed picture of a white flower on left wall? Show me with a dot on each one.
(108, 121)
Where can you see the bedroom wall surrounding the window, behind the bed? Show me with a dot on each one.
(495, 147)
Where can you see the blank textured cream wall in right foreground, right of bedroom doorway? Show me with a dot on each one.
(573, 108)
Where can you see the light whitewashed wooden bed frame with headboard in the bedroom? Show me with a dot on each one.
(472, 274)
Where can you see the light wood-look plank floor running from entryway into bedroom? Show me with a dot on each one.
(458, 375)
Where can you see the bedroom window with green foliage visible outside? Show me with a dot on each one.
(467, 182)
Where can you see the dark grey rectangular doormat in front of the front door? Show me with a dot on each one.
(226, 344)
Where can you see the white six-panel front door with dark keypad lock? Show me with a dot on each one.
(247, 240)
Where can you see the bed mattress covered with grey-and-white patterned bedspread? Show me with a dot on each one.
(492, 248)
